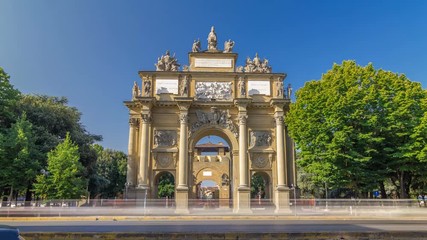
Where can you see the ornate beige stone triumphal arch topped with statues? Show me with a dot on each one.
(177, 106)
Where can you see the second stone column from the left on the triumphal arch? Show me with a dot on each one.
(144, 151)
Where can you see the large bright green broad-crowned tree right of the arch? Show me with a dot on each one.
(357, 126)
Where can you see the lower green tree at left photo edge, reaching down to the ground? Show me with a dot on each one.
(17, 151)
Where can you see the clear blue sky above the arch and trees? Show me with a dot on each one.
(91, 50)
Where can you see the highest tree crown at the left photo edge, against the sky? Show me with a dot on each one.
(8, 98)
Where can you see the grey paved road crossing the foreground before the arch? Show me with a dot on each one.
(218, 226)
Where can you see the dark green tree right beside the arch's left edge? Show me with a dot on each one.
(110, 172)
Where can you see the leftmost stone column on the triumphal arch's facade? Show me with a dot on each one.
(131, 177)
